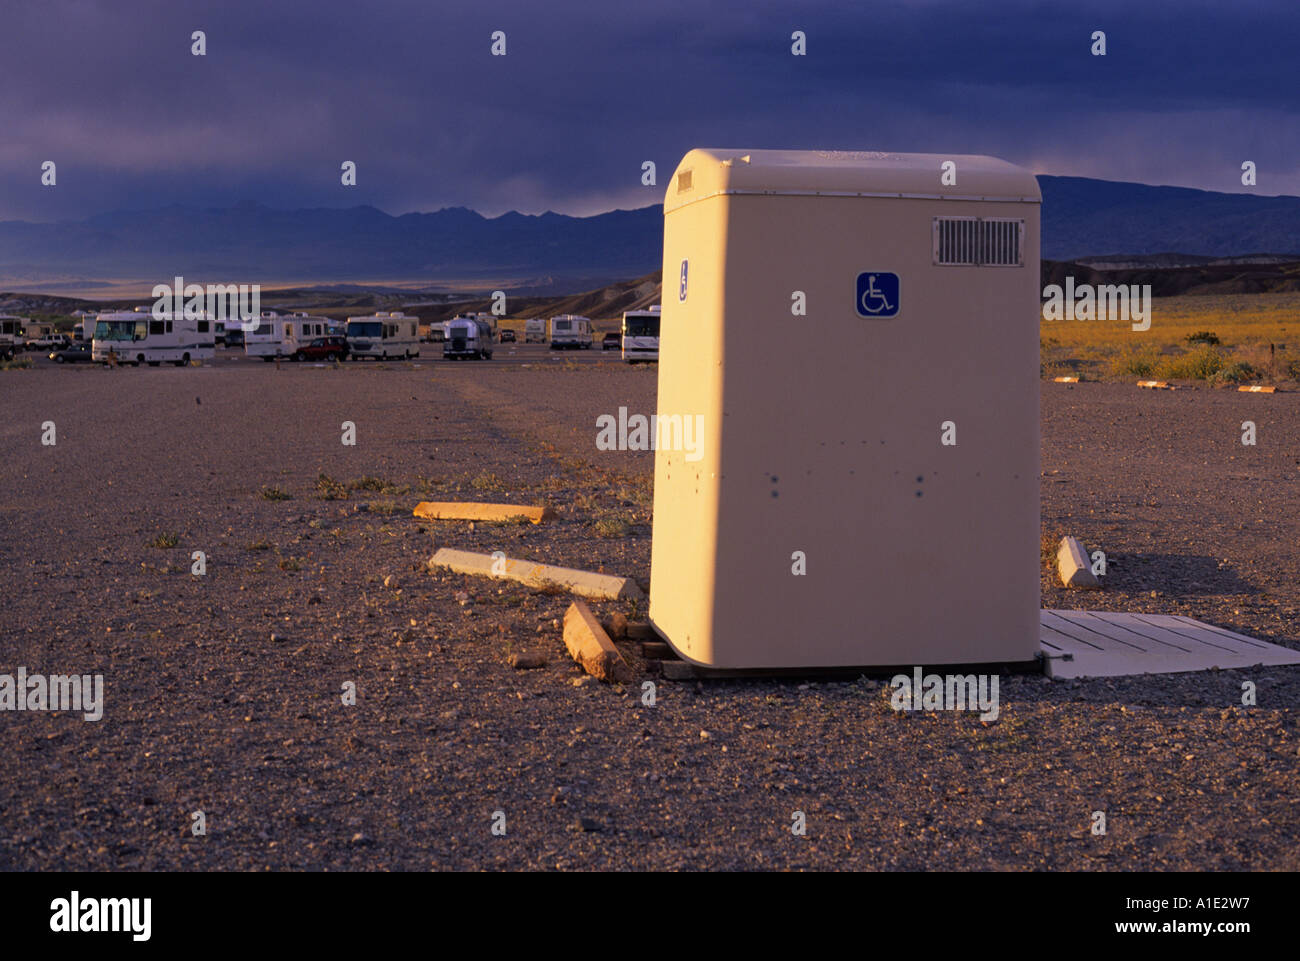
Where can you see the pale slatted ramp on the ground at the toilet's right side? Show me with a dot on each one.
(1095, 644)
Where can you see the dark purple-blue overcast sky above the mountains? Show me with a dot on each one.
(587, 93)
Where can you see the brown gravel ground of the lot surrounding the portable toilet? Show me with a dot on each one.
(223, 692)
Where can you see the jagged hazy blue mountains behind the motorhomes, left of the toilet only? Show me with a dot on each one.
(254, 244)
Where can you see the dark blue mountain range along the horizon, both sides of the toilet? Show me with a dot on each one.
(249, 243)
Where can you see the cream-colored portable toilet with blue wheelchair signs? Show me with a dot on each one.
(847, 470)
